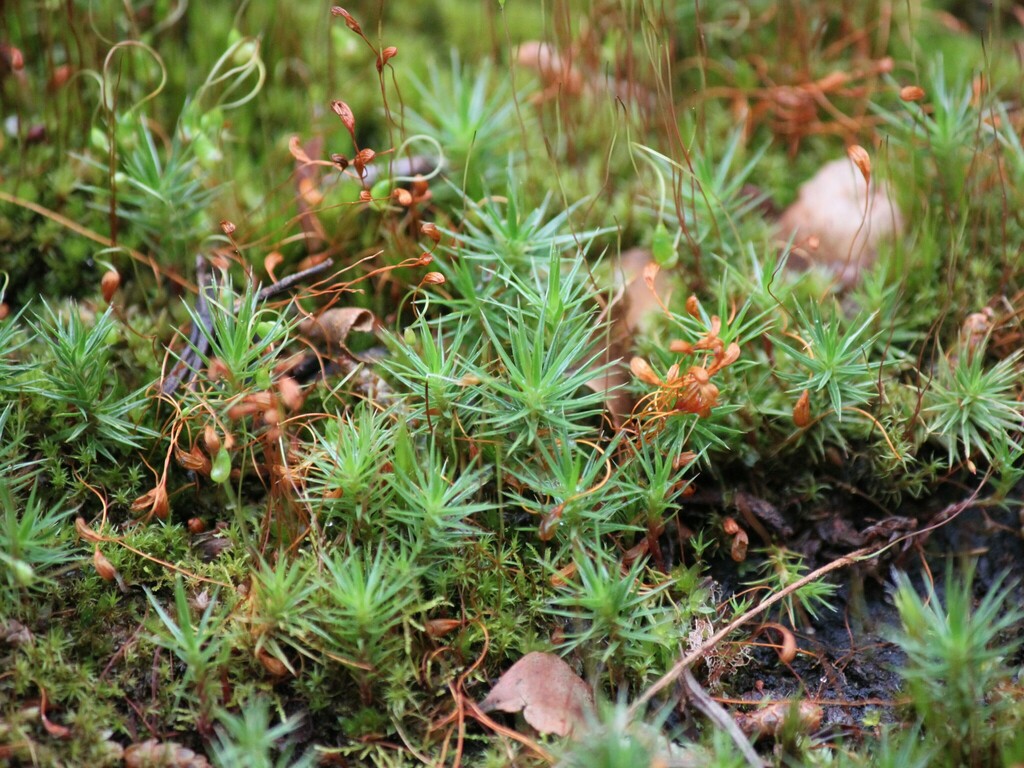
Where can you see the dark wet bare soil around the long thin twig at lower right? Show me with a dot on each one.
(847, 661)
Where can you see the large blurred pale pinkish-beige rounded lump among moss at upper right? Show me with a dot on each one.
(839, 221)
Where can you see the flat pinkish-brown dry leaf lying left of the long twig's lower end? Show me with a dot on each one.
(552, 698)
